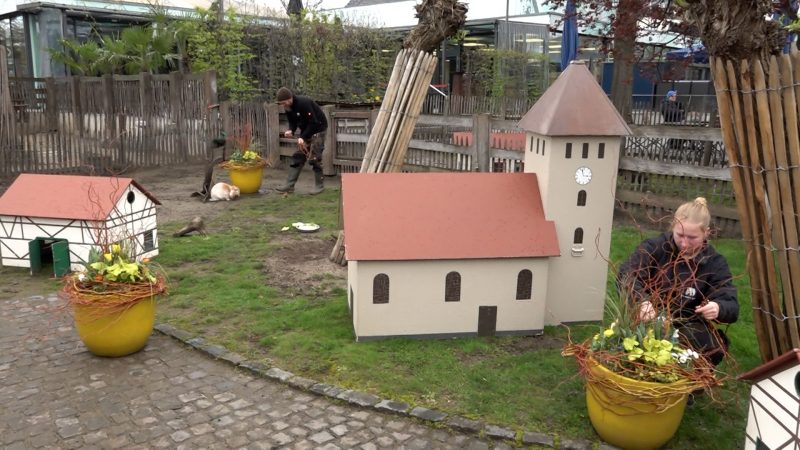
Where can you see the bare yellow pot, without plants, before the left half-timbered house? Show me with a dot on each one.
(117, 333)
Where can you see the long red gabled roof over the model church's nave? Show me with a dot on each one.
(433, 216)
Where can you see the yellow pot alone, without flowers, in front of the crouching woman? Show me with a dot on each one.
(632, 414)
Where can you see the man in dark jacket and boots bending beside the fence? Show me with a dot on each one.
(306, 114)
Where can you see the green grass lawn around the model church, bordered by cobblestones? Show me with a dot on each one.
(221, 290)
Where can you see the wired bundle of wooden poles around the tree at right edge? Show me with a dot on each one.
(759, 120)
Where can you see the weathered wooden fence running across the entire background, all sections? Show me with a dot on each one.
(97, 125)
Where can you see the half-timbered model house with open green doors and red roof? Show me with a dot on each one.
(59, 218)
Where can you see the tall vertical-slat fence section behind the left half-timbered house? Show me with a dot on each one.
(110, 123)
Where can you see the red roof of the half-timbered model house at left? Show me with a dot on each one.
(65, 196)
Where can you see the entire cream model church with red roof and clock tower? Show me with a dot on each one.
(438, 255)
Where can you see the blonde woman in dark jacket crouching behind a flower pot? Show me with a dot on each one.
(679, 273)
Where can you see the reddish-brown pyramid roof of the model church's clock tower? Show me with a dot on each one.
(574, 105)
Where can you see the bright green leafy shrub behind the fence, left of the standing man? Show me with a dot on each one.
(209, 46)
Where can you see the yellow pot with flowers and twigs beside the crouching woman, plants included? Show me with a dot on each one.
(638, 376)
